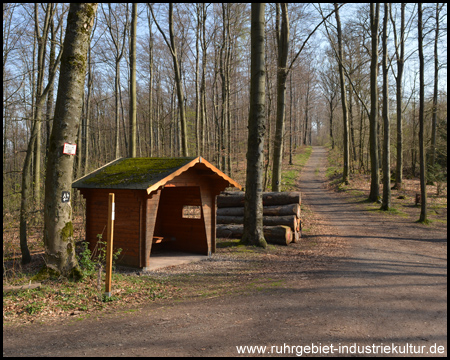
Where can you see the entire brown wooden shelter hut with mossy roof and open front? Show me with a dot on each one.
(159, 202)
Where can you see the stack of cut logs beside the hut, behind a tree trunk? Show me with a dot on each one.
(281, 216)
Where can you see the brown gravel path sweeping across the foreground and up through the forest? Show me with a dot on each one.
(388, 294)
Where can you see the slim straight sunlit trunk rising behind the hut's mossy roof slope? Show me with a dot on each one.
(132, 151)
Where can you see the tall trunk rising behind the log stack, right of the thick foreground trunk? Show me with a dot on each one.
(282, 71)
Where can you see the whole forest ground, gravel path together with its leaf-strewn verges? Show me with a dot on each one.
(360, 282)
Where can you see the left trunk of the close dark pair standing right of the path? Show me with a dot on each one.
(374, 169)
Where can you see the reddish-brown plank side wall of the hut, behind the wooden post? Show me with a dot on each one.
(128, 224)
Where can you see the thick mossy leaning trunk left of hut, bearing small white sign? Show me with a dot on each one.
(58, 229)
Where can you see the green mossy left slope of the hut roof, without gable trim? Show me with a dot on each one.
(136, 173)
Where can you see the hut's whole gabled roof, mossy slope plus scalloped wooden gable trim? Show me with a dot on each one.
(142, 173)
